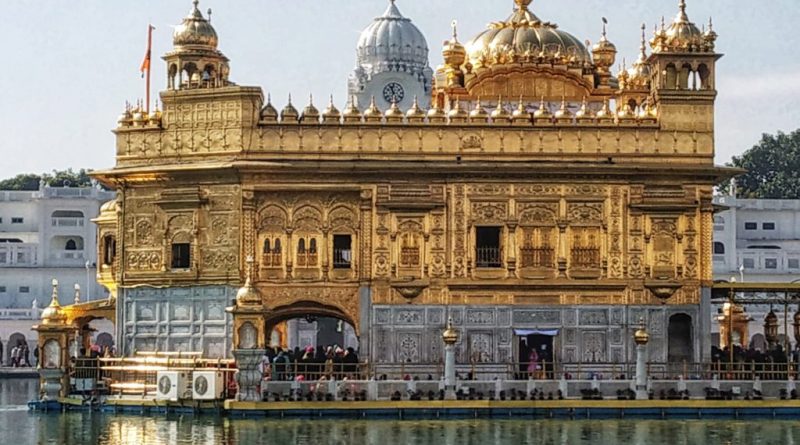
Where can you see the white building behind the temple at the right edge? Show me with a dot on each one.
(758, 240)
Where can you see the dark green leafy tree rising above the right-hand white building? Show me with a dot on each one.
(773, 168)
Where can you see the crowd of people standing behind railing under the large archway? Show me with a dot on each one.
(331, 362)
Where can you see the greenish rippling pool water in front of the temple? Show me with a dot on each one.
(18, 426)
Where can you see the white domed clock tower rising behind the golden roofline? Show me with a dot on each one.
(392, 63)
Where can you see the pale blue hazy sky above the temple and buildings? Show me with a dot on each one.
(71, 65)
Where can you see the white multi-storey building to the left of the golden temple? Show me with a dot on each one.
(44, 235)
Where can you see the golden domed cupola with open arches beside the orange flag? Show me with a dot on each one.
(195, 61)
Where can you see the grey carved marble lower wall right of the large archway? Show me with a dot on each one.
(600, 334)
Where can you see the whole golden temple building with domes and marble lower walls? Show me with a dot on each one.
(539, 192)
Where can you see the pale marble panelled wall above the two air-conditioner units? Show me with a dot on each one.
(176, 319)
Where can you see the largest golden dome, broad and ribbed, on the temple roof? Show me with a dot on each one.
(522, 38)
